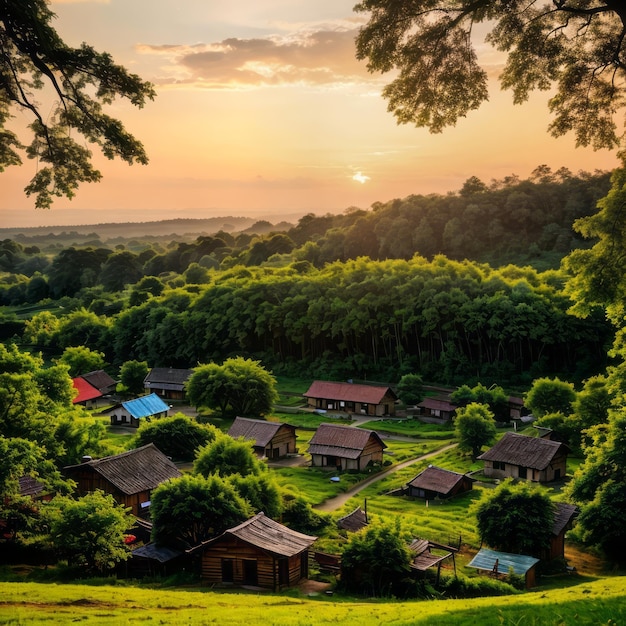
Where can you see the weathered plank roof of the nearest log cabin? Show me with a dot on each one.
(263, 532)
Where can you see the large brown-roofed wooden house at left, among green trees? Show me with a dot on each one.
(129, 477)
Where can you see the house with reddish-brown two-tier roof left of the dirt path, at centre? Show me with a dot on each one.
(345, 447)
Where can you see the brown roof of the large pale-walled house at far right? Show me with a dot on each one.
(532, 452)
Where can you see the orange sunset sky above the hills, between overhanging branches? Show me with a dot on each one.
(263, 110)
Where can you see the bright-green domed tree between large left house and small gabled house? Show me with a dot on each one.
(225, 456)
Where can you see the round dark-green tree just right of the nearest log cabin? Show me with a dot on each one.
(376, 562)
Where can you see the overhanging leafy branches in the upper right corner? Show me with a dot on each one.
(575, 48)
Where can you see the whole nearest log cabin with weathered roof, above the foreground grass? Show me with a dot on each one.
(259, 552)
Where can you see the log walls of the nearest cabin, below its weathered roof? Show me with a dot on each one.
(273, 572)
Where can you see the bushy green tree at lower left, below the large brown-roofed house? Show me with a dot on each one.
(90, 531)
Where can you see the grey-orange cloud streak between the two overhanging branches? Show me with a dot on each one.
(321, 57)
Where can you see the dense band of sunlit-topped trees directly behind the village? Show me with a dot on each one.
(451, 321)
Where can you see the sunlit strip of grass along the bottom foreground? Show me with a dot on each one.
(589, 601)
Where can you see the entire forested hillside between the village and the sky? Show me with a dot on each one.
(416, 284)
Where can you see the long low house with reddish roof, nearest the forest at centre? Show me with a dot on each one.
(351, 398)
